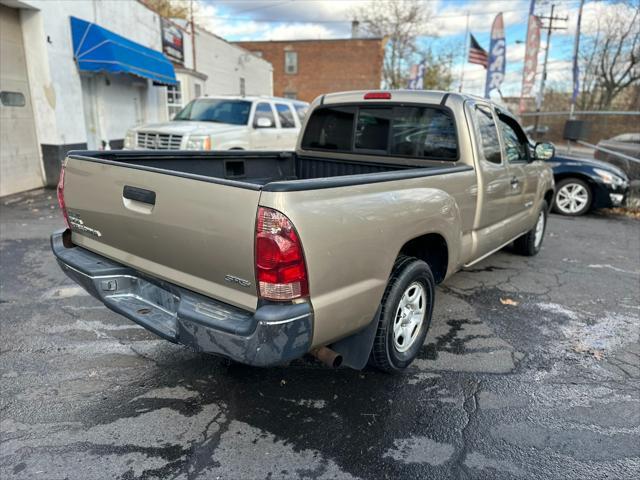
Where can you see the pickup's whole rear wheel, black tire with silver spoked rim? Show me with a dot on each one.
(407, 306)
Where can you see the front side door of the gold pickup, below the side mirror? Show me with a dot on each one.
(522, 178)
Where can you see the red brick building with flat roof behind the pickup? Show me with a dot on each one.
(305, 69)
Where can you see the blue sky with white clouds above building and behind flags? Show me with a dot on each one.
(323, 19)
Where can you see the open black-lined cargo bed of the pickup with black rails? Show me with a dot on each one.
(256, 170)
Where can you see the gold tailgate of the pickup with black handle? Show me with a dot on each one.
(194, 233)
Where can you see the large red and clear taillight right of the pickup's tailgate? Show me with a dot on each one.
(280, 268)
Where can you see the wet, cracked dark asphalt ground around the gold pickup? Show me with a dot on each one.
(531, 370)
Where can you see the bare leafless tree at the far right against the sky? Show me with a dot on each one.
(610, 56)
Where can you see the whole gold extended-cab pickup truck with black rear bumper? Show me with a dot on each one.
(333, 250)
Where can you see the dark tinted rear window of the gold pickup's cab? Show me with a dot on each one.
(404, 131)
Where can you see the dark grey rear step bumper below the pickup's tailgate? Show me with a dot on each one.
(272, 335)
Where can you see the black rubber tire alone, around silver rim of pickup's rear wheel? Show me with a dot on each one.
(384, 355)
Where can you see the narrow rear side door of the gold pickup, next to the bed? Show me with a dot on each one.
(493, 182)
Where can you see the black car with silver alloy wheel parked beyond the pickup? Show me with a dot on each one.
(585, 184)
